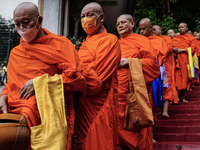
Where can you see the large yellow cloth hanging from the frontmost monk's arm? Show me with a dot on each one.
(51, 134)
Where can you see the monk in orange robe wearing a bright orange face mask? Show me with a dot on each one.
(97, 110)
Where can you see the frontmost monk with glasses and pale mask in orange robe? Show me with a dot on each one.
(39, 52)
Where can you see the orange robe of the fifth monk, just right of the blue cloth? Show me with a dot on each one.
(171, 92)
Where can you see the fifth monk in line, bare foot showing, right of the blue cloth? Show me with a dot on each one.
(170, 93)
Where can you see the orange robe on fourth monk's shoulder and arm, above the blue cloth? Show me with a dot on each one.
(160, 47)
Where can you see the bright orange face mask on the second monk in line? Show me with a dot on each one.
(89, 24)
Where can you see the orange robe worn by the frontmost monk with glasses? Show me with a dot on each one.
(50, 54)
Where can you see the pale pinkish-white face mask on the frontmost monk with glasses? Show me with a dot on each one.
(29, 34)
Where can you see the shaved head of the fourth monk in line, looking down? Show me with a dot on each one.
(145, 27)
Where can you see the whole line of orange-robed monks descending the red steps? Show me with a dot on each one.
(97, 74)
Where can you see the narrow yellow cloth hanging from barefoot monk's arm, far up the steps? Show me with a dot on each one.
(190, 65)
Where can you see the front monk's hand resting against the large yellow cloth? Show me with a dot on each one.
(27, 90)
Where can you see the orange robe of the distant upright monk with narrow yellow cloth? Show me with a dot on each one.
(181, 73)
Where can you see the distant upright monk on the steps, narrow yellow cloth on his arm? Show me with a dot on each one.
(181, 43)
